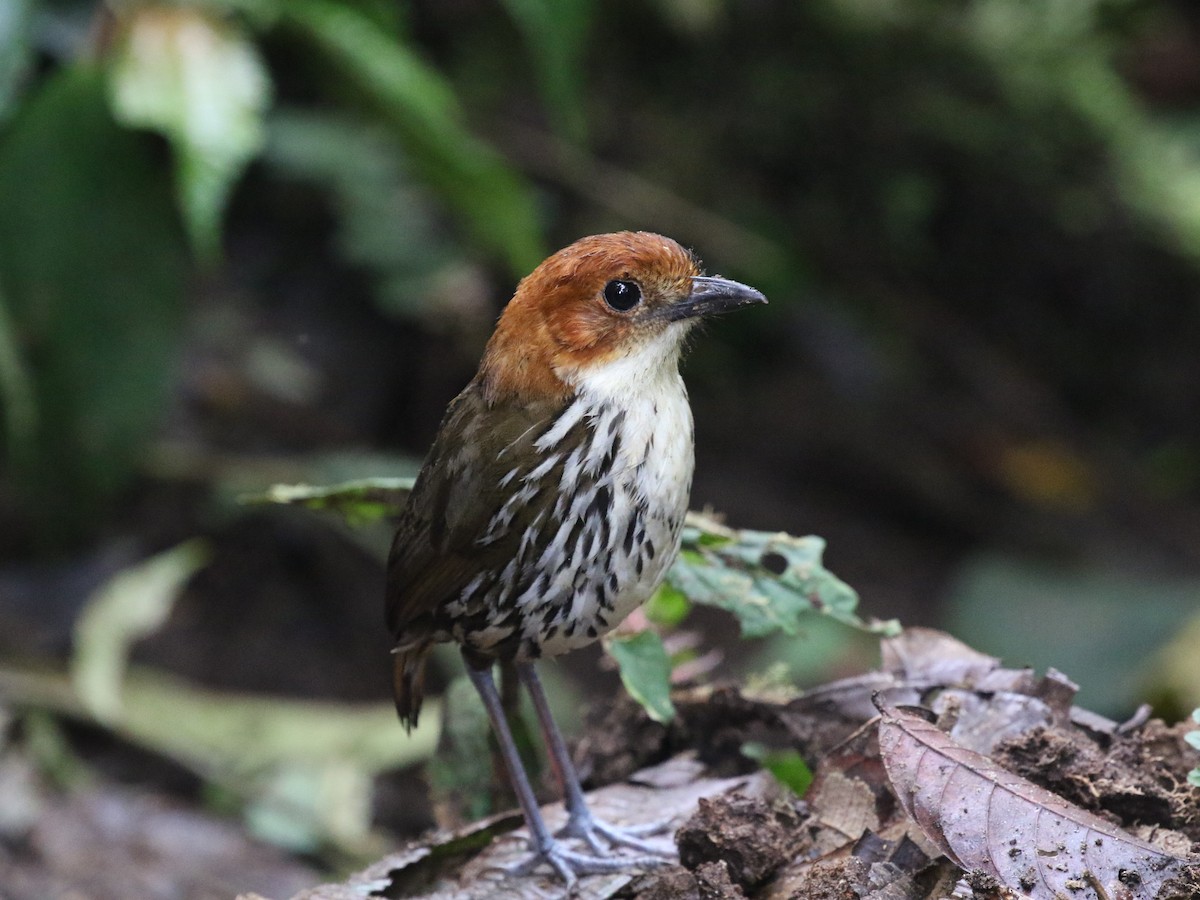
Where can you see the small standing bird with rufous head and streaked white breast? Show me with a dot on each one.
(553, 501)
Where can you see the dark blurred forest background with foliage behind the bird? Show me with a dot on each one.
(255, 242)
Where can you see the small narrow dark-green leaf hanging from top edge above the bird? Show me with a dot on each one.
(556, 32)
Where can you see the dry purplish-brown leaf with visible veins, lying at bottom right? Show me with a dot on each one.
(986, 819)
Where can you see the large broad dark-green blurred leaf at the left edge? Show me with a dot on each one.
(93, 267)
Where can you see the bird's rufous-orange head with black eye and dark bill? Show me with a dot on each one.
(603, 301)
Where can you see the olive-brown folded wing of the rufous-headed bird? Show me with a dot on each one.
(439, 547)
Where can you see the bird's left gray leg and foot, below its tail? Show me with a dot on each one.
(567, 863)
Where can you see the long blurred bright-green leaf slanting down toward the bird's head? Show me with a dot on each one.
(495, 203)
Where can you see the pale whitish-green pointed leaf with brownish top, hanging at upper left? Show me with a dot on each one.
(197, 81)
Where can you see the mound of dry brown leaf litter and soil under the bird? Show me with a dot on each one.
(975, 782)
